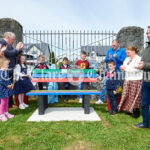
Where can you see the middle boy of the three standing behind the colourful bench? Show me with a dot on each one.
(66, 84)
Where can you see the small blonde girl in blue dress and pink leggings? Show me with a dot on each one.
(6, 90)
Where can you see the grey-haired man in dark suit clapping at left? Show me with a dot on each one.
(11, 53)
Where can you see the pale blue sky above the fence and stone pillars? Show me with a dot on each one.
(77, 14)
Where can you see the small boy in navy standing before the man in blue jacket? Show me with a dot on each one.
(112, 85)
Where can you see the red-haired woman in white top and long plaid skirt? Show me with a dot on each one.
(131, 95)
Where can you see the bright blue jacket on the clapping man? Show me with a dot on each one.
(121, 55)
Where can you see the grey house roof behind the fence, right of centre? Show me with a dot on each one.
(100, 50)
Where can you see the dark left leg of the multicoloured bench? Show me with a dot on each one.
(41, 105)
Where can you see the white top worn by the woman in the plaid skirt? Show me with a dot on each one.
(131, 73)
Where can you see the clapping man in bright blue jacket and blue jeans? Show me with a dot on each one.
(118, 55)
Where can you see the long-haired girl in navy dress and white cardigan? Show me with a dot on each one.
(23, 83)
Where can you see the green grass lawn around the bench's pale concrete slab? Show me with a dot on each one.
(112, 133)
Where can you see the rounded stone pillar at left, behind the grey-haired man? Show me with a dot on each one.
(8, 24)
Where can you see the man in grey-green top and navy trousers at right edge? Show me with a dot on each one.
(145, 66)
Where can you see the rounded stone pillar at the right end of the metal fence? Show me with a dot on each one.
(131, 36)
